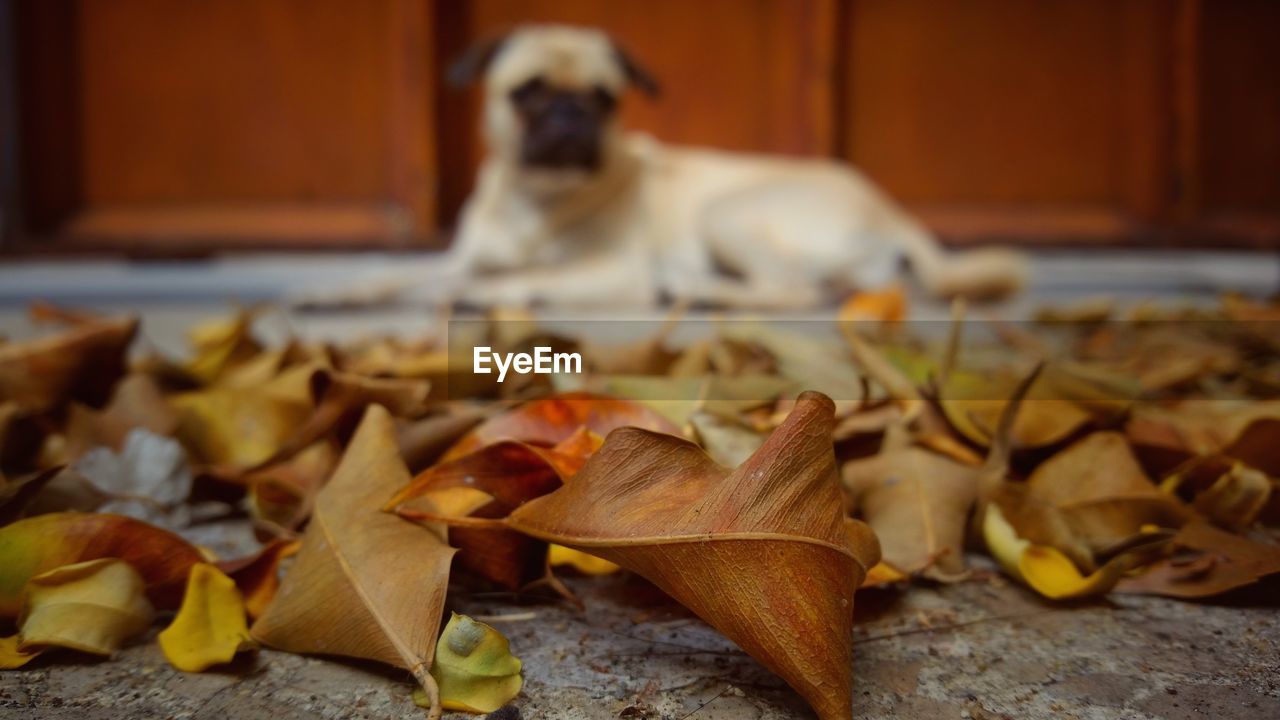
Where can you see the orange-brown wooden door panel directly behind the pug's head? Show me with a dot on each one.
(744, 75)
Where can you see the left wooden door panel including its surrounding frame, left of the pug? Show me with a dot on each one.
(282, 120)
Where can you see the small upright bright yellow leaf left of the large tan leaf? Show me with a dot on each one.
(211, 626)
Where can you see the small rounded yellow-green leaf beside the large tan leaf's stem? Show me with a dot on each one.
(474, 668)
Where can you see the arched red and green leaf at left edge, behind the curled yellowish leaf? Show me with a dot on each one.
(39, 545)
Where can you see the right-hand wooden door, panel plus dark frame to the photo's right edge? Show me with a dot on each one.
(1071, 121)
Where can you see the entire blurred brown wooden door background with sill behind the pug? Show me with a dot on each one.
(168, 129)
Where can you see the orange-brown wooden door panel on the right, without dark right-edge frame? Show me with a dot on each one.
(1004, 112)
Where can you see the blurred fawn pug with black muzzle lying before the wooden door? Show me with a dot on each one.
(572, 209)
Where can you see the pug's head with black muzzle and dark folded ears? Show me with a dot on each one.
(552, 95)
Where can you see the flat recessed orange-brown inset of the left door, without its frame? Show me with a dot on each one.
(235, 101)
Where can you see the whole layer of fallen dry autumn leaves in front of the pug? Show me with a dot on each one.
(1085, 455)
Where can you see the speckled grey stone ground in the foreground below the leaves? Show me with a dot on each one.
(977, 650)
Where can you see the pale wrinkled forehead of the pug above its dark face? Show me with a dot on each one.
(564, 57)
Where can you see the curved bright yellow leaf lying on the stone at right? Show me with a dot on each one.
(1045, 569)
